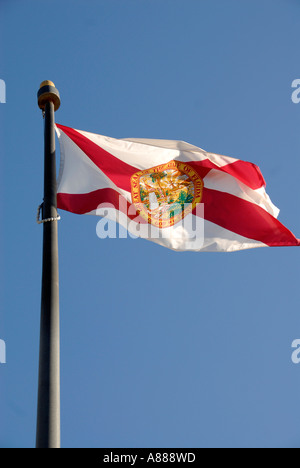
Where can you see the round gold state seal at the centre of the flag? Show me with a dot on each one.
(165, 194)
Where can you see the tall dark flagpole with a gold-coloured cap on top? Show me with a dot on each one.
(48, 410)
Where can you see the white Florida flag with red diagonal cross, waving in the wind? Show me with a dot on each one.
(169, 192)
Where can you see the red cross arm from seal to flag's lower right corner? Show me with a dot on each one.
(246, 219)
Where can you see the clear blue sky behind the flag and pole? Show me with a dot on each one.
(158, 349)
